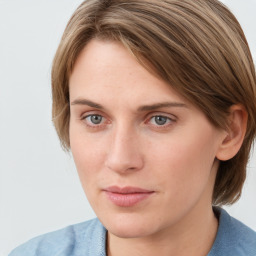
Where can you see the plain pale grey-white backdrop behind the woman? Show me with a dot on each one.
(39, 187)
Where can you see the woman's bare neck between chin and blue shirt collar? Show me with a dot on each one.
(194, 237)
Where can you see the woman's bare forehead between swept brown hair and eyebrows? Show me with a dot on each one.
(108, 71)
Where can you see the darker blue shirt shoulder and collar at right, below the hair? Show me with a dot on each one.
(233, 237)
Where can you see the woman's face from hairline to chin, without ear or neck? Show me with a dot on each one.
(145, 156)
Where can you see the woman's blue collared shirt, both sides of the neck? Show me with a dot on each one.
(89, 239)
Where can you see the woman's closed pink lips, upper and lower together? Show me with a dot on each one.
(127, 196)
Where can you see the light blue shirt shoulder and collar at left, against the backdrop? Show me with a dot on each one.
(87, 238)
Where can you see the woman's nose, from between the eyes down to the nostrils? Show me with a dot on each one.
(124, 154)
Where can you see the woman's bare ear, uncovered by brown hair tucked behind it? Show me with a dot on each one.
(234, 136)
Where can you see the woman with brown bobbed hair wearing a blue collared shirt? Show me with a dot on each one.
(156, 101)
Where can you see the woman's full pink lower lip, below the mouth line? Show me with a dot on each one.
(127, 200)
